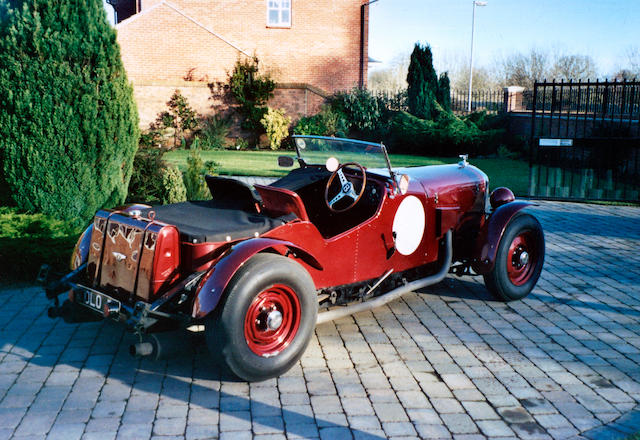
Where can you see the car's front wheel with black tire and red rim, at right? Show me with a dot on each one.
(510, 279)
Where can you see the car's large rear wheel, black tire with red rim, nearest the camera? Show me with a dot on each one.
(284, 282)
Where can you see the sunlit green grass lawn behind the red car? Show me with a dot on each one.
(502, 172)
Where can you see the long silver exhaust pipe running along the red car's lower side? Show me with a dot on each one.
(395, 293)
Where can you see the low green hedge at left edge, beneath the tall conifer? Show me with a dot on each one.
(29, 240)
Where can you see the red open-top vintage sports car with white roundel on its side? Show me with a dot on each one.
(259, 266)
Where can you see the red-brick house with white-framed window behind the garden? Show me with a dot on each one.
(311, 49)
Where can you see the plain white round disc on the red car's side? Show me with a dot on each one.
(408, 225)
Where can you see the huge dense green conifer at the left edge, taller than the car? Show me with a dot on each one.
(68, 121)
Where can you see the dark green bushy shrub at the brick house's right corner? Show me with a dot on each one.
(359, 108)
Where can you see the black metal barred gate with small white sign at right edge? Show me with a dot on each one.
(585, 141)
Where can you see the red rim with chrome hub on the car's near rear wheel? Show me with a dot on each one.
(272, 320)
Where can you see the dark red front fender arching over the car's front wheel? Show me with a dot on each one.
(491, 233)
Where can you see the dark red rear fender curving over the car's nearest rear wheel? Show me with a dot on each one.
(215, 281)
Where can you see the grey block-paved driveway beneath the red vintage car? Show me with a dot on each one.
(449, 361)
